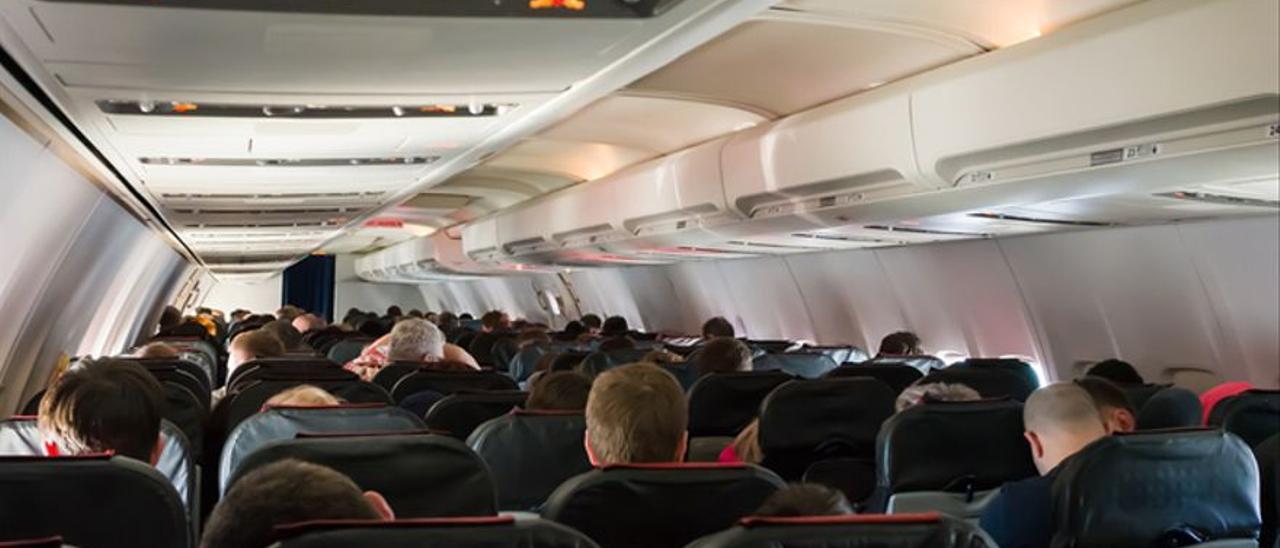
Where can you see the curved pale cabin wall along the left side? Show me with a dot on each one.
(80, 276)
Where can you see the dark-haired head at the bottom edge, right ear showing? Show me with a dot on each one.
(287, 492)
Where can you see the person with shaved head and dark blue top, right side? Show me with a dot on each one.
(1060, 421)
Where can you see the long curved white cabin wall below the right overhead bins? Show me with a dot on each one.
(1196, 296)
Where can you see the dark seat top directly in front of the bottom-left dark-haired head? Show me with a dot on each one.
(422, 476)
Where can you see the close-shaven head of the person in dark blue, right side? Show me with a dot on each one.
(1060, 419)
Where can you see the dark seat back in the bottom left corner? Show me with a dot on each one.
(93, 501)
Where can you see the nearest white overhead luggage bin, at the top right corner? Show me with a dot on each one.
(1118, 104)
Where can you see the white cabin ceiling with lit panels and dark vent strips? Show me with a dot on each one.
(781, 61)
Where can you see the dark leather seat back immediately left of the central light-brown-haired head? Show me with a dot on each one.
(531, 454)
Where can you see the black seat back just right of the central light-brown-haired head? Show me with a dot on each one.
(804, 422)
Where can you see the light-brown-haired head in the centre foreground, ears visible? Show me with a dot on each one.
(637, 414)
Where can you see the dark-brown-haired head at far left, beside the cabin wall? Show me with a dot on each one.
(104, 407)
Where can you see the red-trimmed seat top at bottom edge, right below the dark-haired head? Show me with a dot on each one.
(496, 532)
